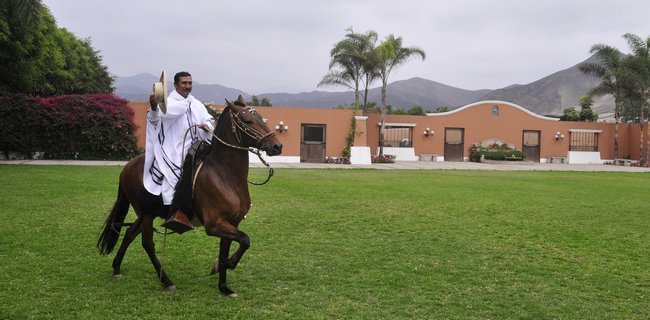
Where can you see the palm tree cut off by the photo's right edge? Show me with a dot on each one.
(639, 65)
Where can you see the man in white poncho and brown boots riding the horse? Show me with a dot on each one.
(169, 137)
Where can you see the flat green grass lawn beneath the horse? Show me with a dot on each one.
(344, 244)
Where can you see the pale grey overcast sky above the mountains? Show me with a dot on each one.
(283, 45)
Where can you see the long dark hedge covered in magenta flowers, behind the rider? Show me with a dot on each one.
(85, 127)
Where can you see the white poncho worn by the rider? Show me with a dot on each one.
(164, 146)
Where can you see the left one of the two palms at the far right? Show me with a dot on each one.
(612, 74)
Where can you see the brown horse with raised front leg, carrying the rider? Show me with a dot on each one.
(220, 201)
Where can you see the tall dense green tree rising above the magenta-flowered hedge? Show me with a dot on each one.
(37, 57)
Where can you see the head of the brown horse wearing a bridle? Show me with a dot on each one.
(250, 129)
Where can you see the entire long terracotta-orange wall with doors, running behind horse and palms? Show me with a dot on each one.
(476, 119)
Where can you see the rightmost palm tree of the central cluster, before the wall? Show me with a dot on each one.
(387, 56)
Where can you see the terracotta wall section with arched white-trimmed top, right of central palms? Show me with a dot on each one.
(479, 124)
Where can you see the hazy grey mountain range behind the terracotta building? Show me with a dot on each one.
(549, 95)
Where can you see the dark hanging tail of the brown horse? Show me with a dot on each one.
(111, 232)
